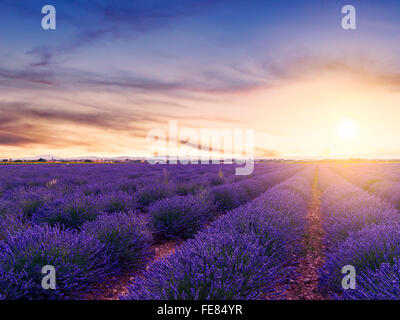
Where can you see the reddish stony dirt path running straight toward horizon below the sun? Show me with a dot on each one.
(305, 286)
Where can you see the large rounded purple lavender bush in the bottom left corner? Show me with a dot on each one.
(80, 260)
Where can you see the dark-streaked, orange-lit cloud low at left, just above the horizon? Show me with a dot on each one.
(25, 124)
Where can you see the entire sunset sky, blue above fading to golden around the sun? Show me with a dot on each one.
(111, 71)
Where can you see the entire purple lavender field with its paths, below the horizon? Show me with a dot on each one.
(143, 232)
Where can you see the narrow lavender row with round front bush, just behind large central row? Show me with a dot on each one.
(182, 216)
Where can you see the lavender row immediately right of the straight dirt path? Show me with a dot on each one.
(361, 231)
